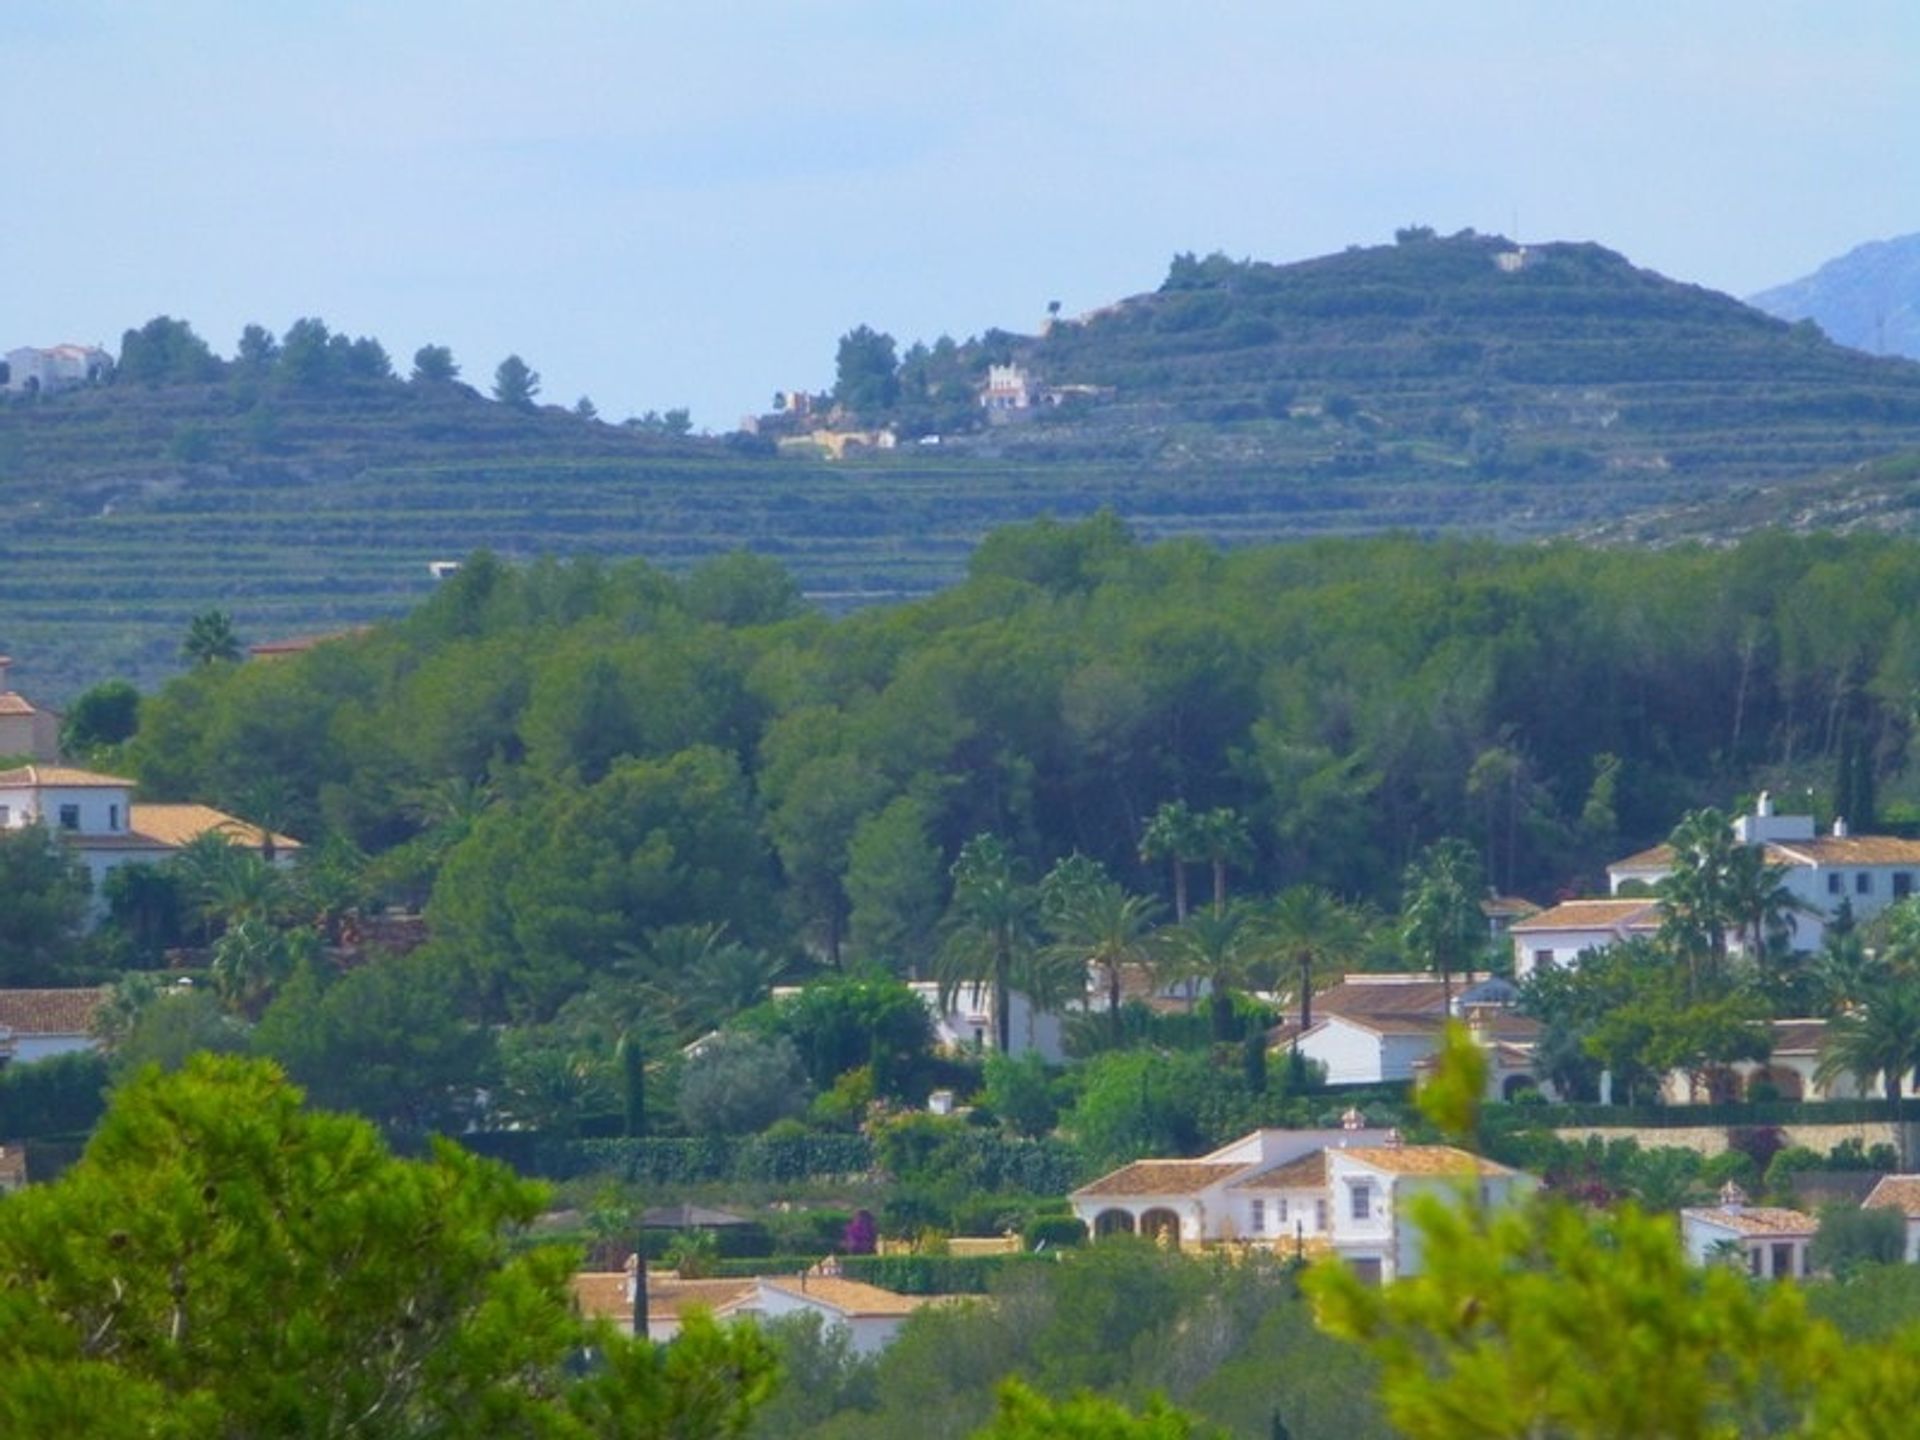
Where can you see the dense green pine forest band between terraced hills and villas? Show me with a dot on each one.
(708, 750)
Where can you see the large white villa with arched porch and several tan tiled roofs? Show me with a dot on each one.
(1343, 1193)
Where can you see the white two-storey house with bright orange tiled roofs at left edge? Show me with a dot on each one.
(99, 821)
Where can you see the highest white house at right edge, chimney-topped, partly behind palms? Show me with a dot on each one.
(1871, 873)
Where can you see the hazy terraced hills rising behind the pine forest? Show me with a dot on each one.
(1431, 385)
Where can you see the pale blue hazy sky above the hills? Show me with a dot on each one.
(688, 204)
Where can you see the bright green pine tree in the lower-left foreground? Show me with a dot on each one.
(226, 1262)
